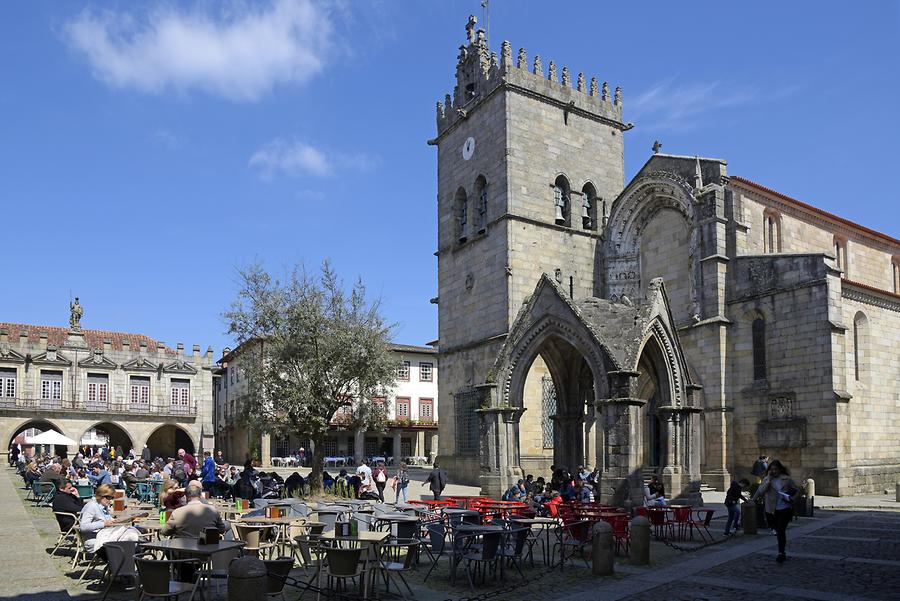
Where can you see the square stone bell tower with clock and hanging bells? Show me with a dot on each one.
(530, 159)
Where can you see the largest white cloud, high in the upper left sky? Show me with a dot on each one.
(240, 52)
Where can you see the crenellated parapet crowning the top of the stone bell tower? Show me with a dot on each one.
(480, 72)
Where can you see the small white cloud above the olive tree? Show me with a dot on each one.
(295, 158)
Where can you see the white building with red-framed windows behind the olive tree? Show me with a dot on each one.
(411, 408)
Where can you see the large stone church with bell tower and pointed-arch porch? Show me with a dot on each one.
(681, 323)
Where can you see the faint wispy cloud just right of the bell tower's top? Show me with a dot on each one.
(667, 106)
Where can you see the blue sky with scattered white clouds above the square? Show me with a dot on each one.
(149, 149)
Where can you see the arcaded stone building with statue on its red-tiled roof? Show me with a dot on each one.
(96, 386)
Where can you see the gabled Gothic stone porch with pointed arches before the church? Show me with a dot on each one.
(623, 392)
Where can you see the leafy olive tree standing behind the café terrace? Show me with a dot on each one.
(312, 347)
